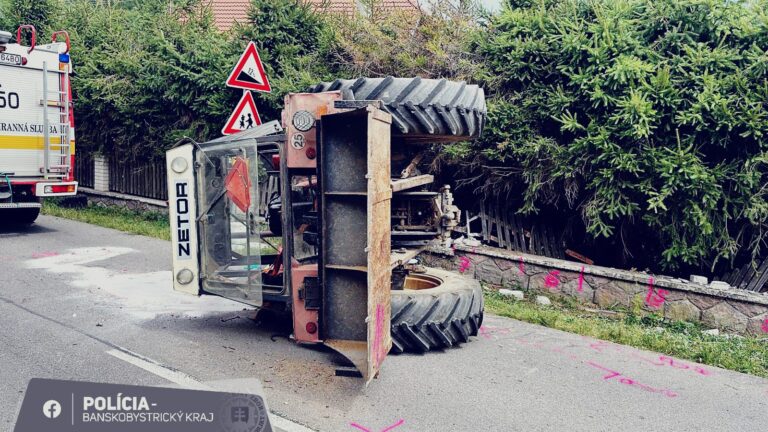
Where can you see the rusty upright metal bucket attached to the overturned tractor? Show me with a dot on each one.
(354, 171)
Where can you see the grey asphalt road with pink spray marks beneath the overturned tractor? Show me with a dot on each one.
(74, 296)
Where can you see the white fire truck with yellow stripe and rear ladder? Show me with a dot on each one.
(37, 137)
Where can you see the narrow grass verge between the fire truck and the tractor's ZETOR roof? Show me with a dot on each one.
(150, 224)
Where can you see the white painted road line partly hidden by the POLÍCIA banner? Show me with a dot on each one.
(279, 423)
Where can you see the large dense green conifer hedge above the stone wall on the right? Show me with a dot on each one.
(646, 118)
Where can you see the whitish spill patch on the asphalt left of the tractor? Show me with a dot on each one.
(145, 295)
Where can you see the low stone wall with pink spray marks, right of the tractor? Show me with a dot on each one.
(731, 310)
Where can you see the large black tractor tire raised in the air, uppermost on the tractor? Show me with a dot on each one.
(421, 107)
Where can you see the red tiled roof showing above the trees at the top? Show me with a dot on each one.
(227, 12)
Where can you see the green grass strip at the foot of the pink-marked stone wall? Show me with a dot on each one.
(679, 339)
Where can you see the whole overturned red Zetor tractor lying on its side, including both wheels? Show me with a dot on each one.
(323, 217)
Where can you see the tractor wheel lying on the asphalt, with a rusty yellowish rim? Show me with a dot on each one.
(436, 310)
